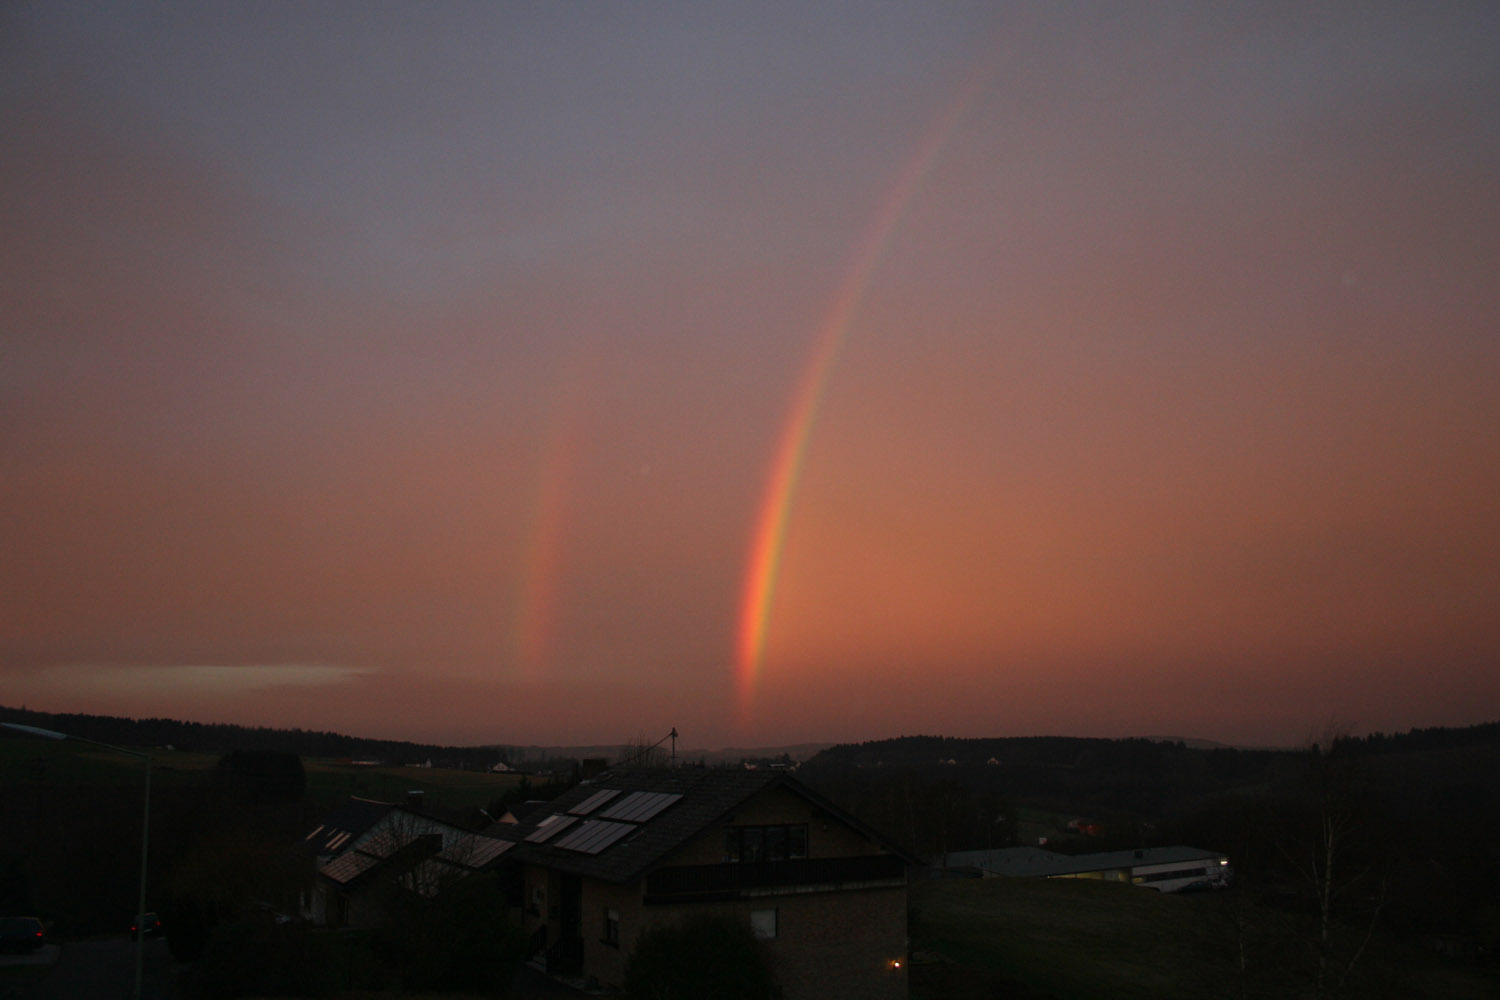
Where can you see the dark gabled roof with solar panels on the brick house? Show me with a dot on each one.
(623, 824)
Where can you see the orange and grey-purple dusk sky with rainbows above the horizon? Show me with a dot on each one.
(569, 373)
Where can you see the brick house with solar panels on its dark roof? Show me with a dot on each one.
(635, 849)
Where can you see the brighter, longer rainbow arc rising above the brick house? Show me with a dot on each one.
(769, 540)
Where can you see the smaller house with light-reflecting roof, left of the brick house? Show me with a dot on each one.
(398, 851)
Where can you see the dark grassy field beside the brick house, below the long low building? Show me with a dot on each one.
(1061, 939)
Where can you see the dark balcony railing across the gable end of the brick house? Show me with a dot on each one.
(767, 878)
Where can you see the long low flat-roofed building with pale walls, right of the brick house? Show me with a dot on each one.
(1162, 869)
